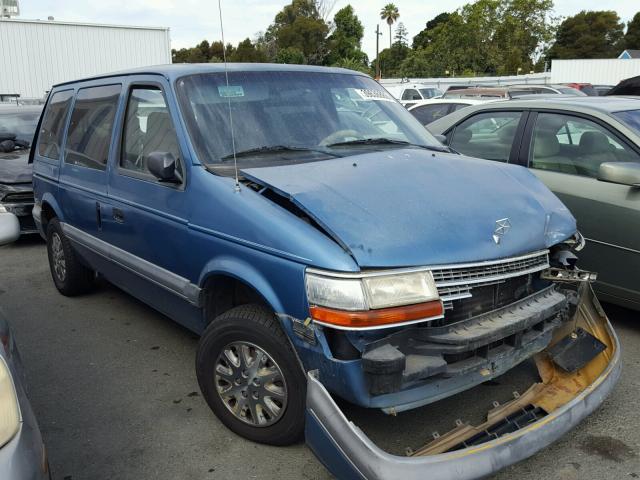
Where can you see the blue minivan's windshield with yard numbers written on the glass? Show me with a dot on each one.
(286, 117)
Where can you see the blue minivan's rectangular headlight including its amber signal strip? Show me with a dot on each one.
(372, 300)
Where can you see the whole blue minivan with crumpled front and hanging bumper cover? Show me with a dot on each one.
(323, 244)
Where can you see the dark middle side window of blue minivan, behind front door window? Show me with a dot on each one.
(91, 126)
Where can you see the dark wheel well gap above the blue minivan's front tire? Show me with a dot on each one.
(222, 293)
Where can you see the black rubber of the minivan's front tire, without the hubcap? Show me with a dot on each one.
(257, 325)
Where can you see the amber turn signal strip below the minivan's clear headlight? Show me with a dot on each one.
(377, 318)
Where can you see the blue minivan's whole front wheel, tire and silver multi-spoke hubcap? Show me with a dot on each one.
(274, 418)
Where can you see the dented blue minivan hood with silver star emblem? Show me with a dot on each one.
(412, 207)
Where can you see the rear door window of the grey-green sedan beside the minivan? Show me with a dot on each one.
(487, 135)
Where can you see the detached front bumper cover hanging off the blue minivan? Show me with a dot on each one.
(578, 367)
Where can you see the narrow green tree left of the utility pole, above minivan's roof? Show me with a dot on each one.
(345, 41)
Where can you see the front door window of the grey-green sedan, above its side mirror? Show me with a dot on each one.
(574, 145)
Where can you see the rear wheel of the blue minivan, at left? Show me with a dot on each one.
(76, 278)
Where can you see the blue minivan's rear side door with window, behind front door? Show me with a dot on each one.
(83, 175)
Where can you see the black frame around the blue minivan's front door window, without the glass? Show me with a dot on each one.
(119, 170)
